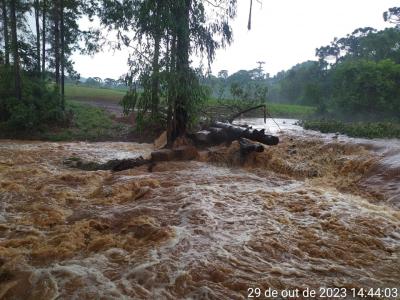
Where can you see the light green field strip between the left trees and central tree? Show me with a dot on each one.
(85, 93)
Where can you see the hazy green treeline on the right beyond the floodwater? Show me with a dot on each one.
(357, 75)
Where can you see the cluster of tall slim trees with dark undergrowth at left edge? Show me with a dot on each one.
(29, 101)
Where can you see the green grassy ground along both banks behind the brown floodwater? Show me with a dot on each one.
(97, 116)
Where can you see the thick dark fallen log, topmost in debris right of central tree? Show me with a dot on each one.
(224, 132)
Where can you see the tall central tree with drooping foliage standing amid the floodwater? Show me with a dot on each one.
(171, 30)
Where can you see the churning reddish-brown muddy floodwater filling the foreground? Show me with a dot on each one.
(315, 211)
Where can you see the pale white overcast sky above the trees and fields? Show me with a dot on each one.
(284, 33)
